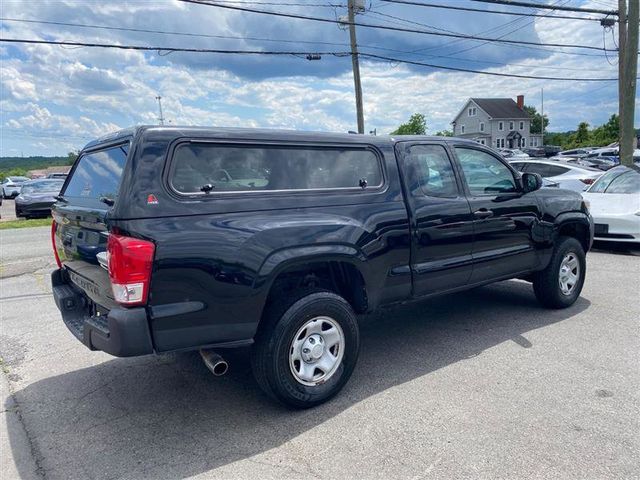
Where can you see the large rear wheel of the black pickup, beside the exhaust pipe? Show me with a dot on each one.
(306, 348)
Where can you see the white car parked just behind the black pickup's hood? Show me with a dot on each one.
(566, 175)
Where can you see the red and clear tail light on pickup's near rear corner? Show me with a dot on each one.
(130, 262)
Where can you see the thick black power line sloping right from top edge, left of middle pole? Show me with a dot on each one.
(385, 27)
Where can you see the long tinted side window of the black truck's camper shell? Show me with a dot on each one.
(197, 167)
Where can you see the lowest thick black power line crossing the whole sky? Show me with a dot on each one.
(297, 53)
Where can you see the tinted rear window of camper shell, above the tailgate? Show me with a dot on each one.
(97, 174)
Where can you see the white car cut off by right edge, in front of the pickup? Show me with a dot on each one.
(614, 203)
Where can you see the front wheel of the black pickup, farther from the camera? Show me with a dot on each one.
(560, 283)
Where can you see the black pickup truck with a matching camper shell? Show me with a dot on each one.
(173, 239)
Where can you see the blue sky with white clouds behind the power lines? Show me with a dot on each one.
(55, 99)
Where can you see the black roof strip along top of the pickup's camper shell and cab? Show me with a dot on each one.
(171, 132)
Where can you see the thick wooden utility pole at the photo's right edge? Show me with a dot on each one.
(628, 70)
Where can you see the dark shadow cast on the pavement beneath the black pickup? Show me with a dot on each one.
(167, 417)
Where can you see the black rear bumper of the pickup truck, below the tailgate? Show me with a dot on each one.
(123, 332)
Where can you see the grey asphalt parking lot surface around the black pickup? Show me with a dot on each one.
(482, 384)
